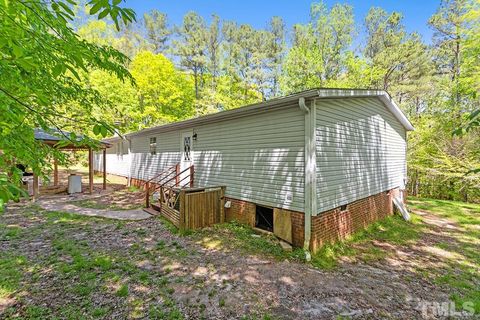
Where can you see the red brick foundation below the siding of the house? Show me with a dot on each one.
(329, 226)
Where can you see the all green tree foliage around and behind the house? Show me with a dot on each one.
(204, 66)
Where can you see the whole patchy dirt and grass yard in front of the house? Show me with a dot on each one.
(56, 265)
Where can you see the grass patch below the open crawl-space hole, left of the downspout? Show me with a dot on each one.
(232, 235)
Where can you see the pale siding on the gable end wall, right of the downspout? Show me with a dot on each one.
(360, 150)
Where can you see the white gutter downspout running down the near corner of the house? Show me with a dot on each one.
(308, 176)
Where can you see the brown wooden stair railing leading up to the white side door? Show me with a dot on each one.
(167, 193)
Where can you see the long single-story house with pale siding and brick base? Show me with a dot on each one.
(312, 167)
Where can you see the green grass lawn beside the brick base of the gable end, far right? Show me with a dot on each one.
(447, 232)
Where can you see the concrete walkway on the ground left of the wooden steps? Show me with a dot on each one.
(55, 205)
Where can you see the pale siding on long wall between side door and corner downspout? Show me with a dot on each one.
(259, 158)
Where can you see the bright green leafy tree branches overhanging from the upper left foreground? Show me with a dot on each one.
(40, 75)
